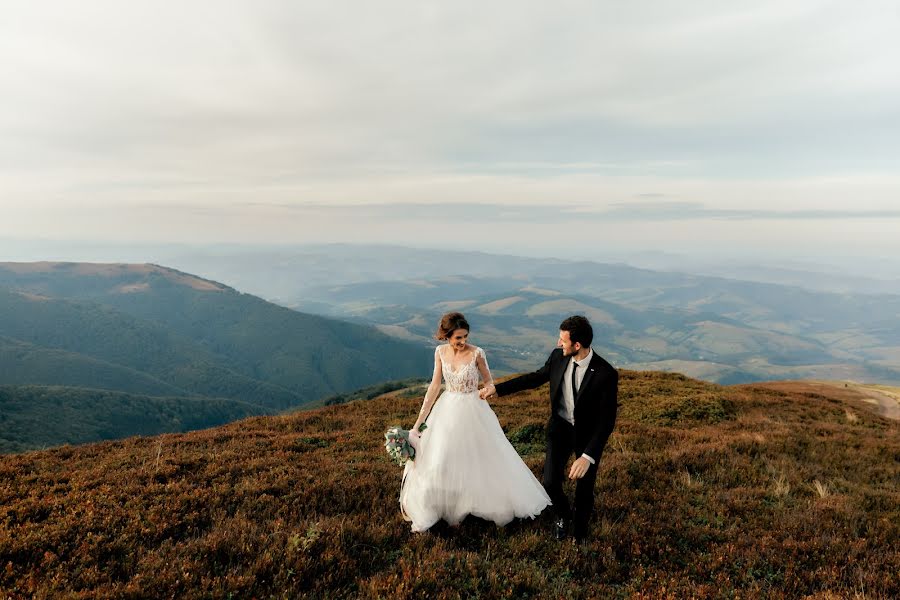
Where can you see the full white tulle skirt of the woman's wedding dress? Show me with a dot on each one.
(465, 466)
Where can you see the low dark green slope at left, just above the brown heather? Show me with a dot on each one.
(41, 416)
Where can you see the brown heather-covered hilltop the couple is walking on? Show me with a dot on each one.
(704, 491)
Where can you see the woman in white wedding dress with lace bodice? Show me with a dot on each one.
(464, 464)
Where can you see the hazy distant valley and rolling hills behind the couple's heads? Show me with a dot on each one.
(716, 328)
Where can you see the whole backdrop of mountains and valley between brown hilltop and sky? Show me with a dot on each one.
(133, 339)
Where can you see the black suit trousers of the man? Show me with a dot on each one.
(560, 447)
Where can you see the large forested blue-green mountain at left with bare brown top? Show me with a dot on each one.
(152, 331)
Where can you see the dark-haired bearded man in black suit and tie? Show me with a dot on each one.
(583, 390)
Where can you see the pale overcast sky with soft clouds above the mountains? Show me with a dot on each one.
(708, 125)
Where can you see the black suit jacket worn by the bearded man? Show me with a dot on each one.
(595, 405)
